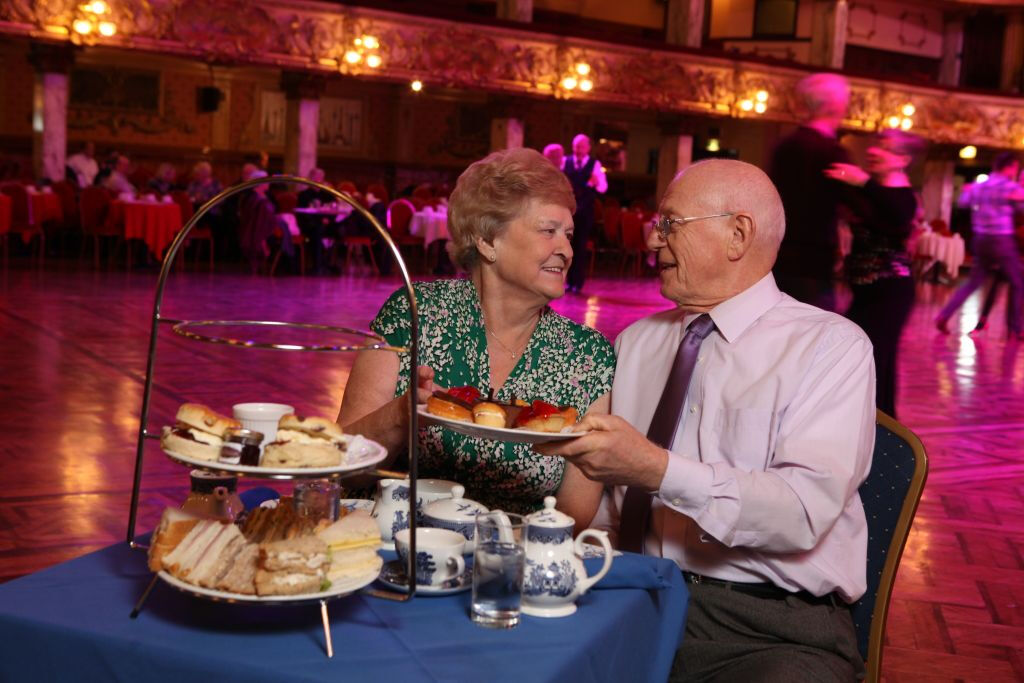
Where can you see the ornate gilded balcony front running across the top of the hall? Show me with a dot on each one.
(307, 35)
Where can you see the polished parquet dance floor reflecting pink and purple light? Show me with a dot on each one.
(73, 351)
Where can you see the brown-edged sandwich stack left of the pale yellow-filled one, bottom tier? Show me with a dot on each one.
(292, 567)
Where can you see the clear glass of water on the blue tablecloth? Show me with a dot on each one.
(498, 570)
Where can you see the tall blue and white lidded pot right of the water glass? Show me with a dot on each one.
(556, 576)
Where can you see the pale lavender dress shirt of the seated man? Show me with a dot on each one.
(776, 438)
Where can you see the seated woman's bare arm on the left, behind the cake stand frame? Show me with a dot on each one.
(370, 407)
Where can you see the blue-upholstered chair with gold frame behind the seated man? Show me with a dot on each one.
(890, 496)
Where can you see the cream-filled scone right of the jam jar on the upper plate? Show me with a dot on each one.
(306, 443)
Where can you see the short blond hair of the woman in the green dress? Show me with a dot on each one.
(493, 192)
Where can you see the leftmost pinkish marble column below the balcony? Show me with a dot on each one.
(50, 108)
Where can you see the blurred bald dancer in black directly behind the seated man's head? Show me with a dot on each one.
(810, 251)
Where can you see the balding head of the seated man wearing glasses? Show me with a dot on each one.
(733, 244)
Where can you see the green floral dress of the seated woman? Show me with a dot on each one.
(564, 364)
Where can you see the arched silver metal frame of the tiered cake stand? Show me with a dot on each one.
(200, 331)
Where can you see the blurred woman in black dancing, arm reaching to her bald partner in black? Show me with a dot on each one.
(879, 264)
